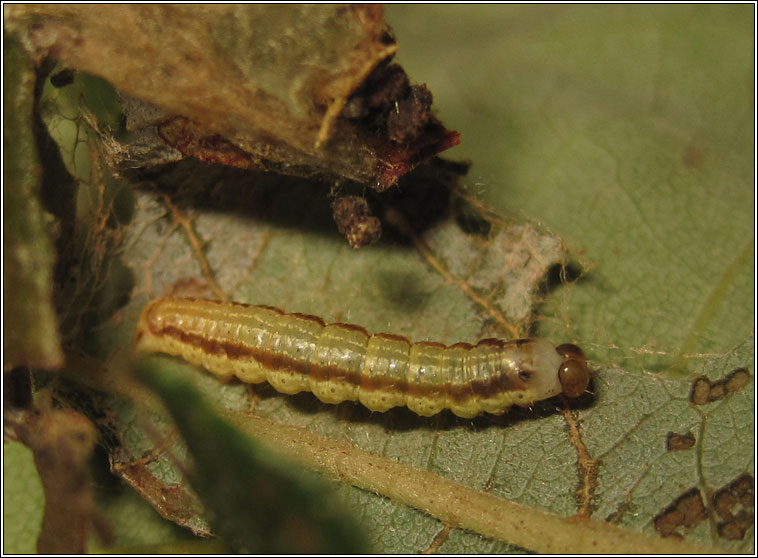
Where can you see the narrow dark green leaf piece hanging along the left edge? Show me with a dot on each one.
(30, 335)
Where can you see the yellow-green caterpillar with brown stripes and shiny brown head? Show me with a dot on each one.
(341, 362)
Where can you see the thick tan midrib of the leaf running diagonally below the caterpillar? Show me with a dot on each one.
(454, 504)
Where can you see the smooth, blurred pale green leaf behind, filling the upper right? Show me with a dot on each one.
(627, 131)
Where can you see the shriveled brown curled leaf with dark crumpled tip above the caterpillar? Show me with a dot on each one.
(257, 85)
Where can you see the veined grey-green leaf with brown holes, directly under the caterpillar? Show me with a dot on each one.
(529, 457)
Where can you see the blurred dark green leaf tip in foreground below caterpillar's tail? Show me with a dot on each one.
(257, 502)
